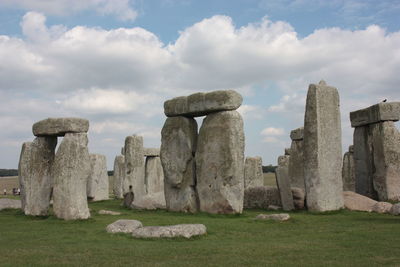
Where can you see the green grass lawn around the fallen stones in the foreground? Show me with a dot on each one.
(341, 238)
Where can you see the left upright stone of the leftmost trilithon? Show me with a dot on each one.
(34, 172)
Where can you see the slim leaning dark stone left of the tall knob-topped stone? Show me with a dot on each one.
(283, 182)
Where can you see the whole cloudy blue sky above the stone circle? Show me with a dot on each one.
(115, 62)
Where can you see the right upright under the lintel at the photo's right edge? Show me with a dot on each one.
(385, 139)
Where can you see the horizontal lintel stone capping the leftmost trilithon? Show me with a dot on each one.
(60, 126)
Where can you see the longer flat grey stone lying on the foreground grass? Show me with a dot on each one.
(170, 231)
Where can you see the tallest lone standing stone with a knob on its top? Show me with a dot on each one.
(323, 149)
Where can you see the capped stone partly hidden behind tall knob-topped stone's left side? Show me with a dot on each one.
(296, 163)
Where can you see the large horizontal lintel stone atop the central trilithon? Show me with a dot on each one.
(201, 104)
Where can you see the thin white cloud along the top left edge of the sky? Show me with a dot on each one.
(122, 9)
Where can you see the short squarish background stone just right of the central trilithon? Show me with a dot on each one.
(253, 175)
